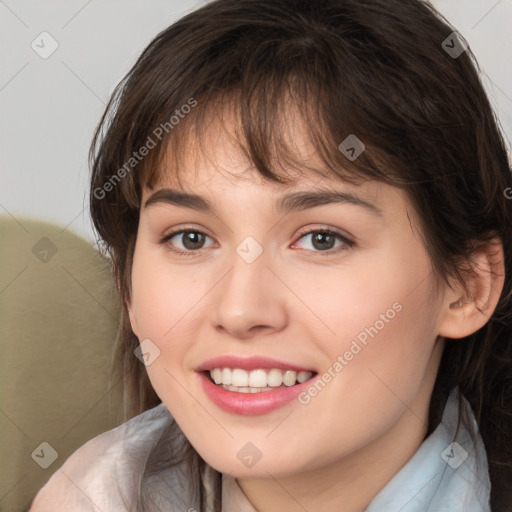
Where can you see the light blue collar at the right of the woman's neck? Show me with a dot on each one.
(448, 473)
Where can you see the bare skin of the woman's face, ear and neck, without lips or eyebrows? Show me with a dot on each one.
(300, 305)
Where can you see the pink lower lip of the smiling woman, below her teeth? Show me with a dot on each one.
(251, 404)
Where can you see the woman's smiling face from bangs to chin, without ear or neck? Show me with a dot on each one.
(354, 314)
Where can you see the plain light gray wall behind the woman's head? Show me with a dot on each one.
(50, 107)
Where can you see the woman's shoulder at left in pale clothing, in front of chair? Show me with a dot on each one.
(102, 473)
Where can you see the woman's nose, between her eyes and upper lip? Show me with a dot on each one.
(250, 299)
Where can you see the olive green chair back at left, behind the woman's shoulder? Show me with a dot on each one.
(58, 324)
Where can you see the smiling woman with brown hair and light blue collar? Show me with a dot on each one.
(304, 203)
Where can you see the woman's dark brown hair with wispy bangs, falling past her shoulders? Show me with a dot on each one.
(373, 68)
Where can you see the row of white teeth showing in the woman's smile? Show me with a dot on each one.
(236, 379)
